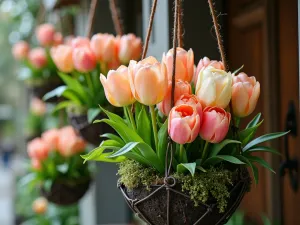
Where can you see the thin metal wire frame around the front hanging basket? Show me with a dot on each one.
(169, 187)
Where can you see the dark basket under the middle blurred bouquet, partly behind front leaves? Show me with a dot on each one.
(90, 132)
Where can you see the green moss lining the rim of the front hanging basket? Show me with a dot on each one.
(214, 183)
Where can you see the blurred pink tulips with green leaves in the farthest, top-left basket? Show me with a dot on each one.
(38, 65)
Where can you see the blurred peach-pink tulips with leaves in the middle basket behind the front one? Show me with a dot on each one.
(81, 60)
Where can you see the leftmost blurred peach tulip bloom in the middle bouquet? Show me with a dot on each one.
(62, 56)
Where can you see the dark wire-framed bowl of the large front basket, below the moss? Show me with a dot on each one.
(167, 205)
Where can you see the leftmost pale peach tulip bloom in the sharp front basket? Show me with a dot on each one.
(117, 87)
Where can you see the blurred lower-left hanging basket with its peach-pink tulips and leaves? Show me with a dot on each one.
(56, 164)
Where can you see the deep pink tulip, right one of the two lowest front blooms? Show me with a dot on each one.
(215, 124)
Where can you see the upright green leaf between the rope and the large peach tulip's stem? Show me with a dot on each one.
(162, 142)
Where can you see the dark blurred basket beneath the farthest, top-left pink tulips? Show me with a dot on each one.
(39, 90)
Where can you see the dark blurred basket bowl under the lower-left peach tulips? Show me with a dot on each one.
(67, 192)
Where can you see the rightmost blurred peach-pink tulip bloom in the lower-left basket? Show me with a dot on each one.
(69, 142)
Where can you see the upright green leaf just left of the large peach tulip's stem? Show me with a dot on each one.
(144, 126)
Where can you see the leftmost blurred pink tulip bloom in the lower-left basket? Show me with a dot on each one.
(38, 149)
